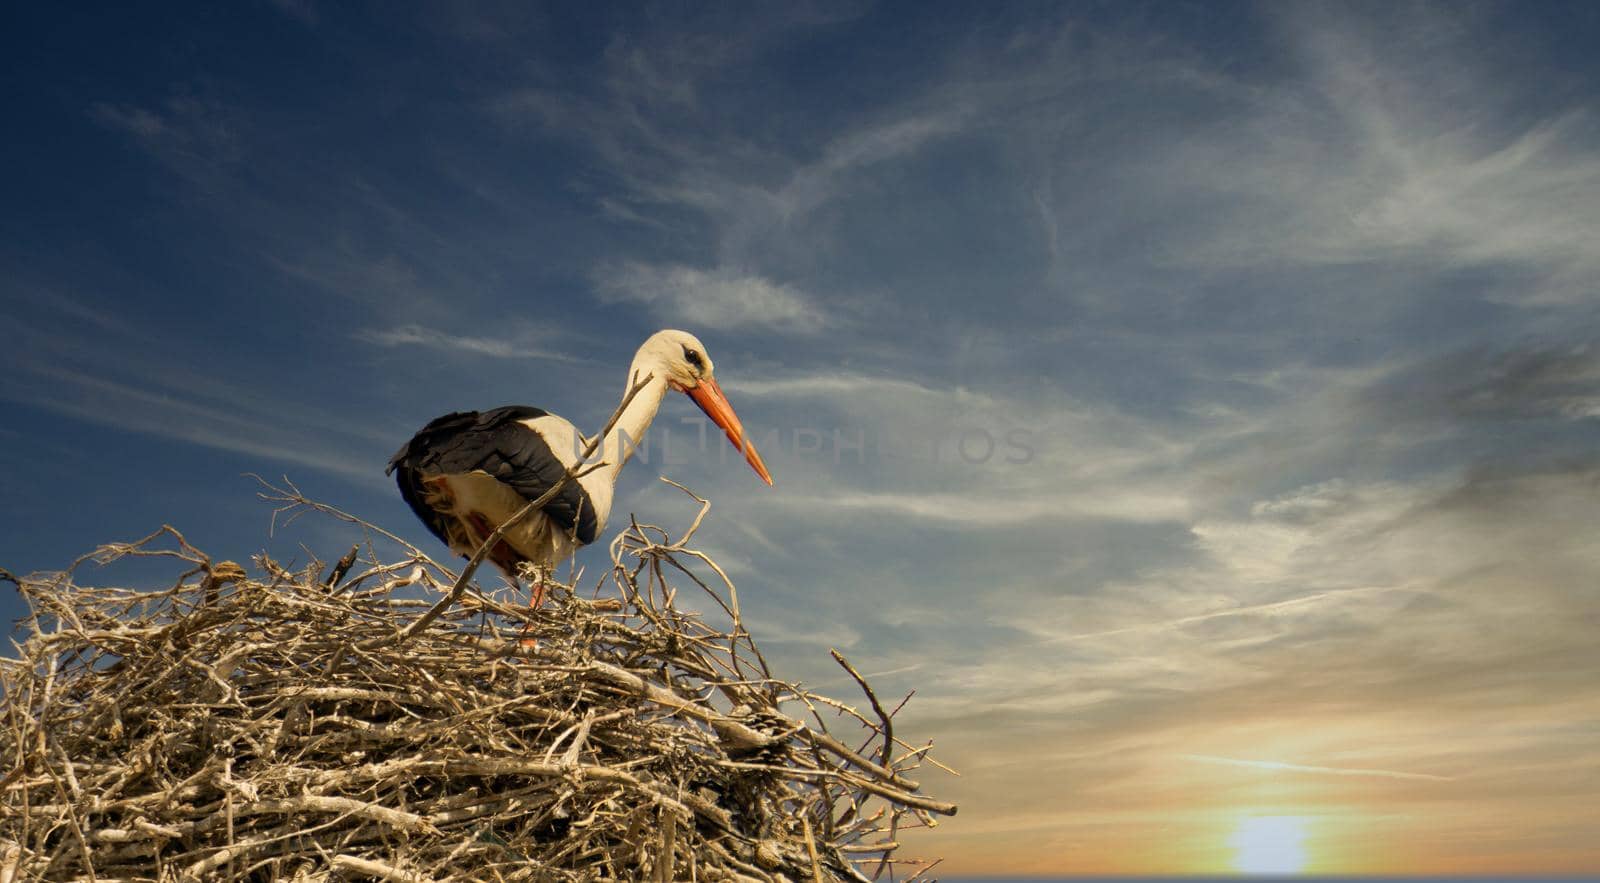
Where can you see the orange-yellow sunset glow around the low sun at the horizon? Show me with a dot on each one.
(1310, 805)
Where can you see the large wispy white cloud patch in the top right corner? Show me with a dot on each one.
(1362, 161)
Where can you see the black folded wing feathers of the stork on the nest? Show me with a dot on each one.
(500, 444)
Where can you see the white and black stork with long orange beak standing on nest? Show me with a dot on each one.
(466, 474)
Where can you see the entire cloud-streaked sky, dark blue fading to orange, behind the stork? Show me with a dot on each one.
(1281, 321)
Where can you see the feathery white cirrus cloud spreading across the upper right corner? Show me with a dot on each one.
(1356, 162)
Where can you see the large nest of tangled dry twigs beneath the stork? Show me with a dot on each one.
(310, 727)
